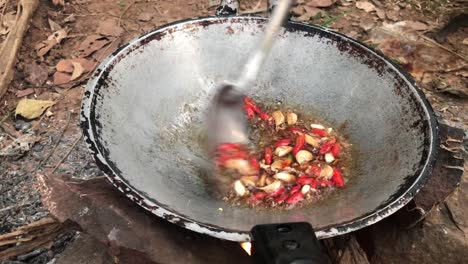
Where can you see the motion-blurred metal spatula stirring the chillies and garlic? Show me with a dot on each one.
(226, 121)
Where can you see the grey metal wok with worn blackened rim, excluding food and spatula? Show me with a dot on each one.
(143, 118)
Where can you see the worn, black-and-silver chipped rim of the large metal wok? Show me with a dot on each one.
(389, 207)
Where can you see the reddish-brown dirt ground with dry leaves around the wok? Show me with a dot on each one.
(56, 146)
